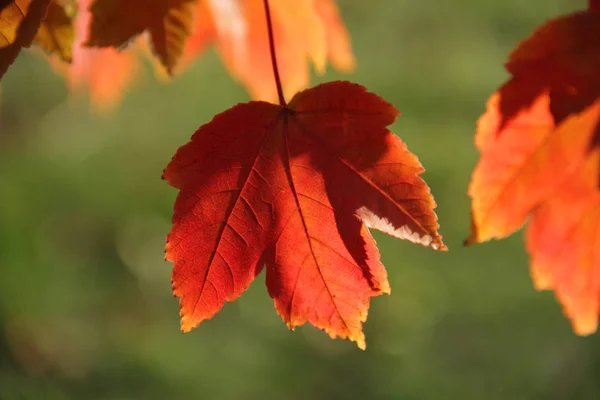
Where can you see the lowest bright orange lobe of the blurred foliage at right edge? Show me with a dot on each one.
(563, 238)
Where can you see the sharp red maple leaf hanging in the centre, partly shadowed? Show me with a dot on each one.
(294, 188)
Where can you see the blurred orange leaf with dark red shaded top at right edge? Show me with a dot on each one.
(538, 142)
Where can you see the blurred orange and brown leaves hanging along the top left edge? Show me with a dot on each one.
(84, 39)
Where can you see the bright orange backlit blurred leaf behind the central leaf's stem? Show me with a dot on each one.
(305, 30)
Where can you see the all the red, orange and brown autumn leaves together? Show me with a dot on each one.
(293, 188)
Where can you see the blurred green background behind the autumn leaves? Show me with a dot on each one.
(86, 310)
